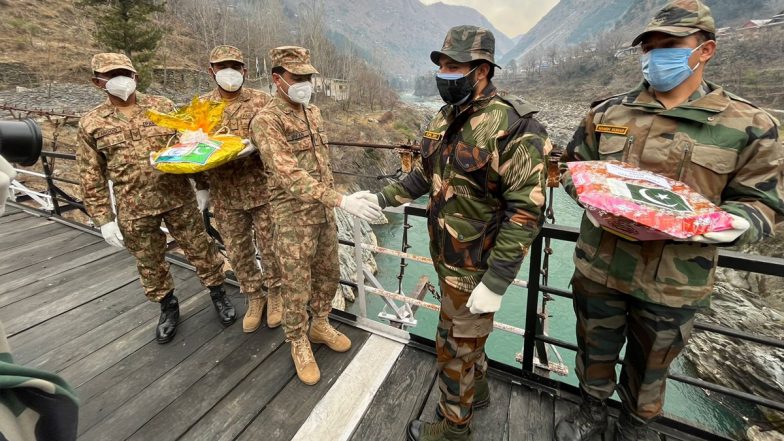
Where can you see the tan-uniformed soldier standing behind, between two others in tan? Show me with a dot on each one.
(239, 190)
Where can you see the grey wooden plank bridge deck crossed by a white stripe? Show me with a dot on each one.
(72, 305)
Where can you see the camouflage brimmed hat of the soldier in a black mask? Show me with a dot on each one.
(467, 43)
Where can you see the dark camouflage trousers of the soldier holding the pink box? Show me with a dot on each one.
(656, 335)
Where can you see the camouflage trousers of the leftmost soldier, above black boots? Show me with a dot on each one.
(145, 240)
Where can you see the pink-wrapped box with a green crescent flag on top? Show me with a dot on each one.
(639, 205)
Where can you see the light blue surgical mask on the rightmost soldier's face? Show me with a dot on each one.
(666, 68)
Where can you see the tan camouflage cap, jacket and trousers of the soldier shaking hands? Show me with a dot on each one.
(294, 149)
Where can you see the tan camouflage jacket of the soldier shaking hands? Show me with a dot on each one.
(294, 150)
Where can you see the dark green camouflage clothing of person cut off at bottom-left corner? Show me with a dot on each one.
(35, 405)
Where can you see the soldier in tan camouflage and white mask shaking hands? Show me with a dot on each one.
(290, 134)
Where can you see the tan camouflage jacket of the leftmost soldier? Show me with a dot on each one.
(116, 147)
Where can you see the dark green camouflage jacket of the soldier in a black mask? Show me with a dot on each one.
(484, 170)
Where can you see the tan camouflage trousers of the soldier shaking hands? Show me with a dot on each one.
(310, 271)
